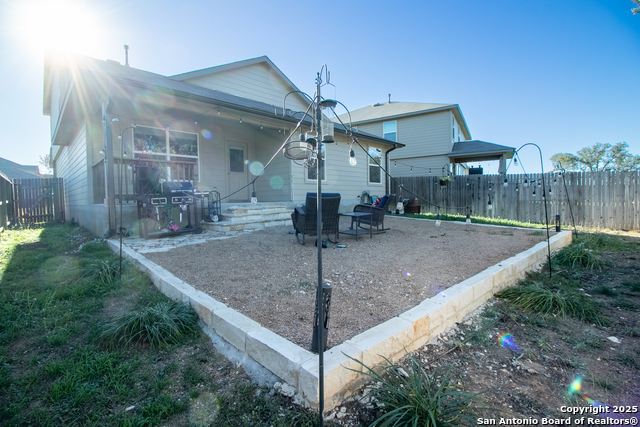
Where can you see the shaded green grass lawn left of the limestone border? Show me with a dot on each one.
(79, 346)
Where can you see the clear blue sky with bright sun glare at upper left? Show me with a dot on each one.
(562, 74)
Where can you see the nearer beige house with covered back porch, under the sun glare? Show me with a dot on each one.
(214, 127)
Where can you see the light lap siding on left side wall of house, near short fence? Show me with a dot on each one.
(72, 167)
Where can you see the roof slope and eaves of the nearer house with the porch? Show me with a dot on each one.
(127, 75)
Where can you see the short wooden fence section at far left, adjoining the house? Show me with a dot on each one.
(37, 200)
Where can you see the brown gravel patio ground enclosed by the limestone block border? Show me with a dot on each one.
(269, 277)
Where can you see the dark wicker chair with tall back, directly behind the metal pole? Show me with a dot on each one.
(304, 218)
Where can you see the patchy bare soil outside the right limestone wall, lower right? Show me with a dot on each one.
(534, 384)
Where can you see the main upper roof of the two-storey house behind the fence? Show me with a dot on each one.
(396, 110)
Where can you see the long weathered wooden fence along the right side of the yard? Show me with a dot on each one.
(607, 199)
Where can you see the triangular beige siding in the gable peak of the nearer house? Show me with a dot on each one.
(255, 82)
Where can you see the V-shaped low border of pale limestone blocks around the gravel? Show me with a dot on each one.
(410, 330)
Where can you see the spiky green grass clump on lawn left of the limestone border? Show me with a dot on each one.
(159, 325)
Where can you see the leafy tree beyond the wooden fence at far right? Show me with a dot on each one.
(598, 157)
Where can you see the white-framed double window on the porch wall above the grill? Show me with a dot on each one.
(164, 145)
